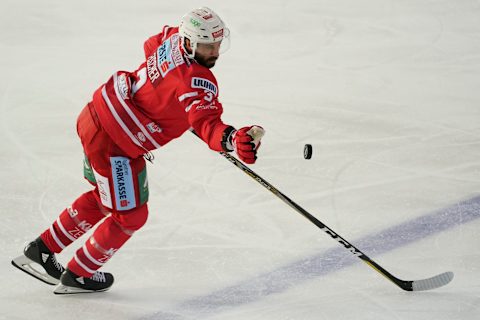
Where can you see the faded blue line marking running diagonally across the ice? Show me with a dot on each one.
(327, 262)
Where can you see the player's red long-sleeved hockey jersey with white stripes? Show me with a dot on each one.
(167, 95)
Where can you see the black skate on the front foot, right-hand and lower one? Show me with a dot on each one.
(71, 283)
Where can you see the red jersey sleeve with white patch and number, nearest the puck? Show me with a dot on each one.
(199, 98)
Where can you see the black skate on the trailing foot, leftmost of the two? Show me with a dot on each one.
(39, 262)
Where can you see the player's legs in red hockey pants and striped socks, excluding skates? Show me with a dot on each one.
(119, 199)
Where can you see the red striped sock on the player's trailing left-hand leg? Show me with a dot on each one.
(73, 222)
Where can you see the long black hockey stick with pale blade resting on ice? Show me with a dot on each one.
(407, 285)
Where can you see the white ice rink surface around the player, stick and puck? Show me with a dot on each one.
(386, 91)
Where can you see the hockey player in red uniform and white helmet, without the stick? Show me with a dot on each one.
(133, 113)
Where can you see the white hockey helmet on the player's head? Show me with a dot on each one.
(203, 25)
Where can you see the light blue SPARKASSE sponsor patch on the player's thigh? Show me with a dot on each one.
(123, 187)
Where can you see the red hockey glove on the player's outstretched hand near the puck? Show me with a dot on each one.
(246, 142)
